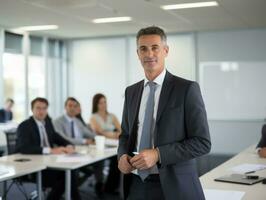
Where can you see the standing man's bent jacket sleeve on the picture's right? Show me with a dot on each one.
(197, 141)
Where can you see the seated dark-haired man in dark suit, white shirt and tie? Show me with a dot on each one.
(36, 135)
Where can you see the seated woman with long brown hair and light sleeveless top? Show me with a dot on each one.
(106, 124)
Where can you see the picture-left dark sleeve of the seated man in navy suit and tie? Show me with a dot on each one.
(26, 144)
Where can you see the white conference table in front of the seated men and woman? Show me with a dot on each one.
(85, 155)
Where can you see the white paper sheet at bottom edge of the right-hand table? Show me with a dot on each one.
(211, 194)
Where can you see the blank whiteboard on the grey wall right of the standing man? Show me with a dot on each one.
(234, 90)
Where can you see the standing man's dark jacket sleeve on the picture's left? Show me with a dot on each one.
(124, 136)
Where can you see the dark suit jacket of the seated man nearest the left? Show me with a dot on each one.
(28, 141)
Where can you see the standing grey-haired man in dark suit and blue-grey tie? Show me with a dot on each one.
(164, 128)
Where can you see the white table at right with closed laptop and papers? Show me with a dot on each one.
(252, 192)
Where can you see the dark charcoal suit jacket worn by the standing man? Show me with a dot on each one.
(181, 134)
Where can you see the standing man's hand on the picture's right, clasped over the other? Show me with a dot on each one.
(145, 159)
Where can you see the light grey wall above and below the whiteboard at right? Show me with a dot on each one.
(232, 136)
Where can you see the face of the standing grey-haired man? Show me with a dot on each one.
(152, 52)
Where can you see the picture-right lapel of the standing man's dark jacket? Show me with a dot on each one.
(165, 93)
